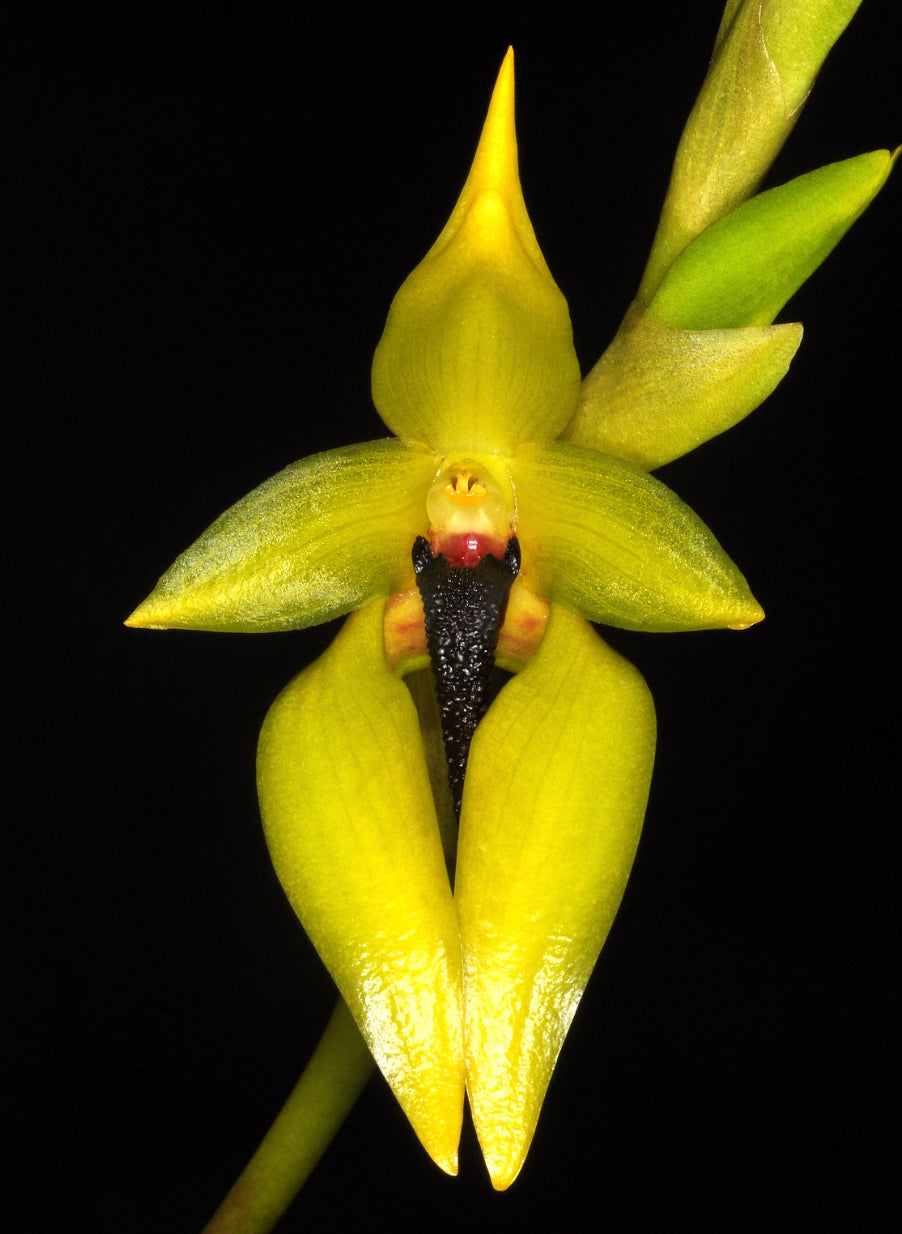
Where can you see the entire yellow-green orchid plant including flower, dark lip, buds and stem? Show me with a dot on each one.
(514, 507)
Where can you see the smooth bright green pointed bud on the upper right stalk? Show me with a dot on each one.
(743, 270)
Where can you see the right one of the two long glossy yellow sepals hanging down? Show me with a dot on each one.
(556, 793)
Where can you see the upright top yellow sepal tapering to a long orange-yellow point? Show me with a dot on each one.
(478, 350)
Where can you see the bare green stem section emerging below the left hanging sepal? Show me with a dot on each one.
(330, 1085)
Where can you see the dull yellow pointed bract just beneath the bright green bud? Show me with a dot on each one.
(658, 392)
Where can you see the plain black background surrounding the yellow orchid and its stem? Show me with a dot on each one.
(217, 208)
